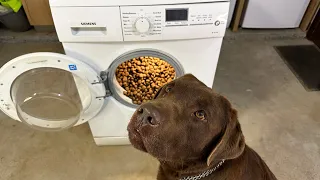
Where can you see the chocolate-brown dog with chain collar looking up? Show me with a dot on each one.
(195, 134)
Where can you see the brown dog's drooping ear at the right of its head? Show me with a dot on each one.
(232, 143)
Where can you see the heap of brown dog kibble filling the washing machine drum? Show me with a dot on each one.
(142, 77)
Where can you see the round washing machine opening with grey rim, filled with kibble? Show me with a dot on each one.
(135, 77)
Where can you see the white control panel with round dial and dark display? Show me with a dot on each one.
(165, 22)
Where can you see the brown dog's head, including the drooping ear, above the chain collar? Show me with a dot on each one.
(187, 121)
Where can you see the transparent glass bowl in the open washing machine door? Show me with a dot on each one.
(49, 98)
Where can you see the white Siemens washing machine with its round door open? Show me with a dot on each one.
(50, 91)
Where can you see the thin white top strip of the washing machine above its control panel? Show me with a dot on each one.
(82, 3)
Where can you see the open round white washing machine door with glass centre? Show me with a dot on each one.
(50, 91)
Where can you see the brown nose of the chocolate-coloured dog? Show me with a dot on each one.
(148, 115)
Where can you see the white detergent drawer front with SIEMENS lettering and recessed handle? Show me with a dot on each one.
(87, 24)
